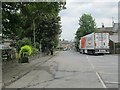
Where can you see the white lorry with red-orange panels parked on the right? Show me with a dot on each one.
(94, 43)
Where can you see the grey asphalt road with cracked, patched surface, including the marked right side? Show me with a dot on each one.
(70, 69)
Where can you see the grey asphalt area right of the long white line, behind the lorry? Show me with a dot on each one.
(107, 67)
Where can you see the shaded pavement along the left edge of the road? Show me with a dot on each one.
(13, 71)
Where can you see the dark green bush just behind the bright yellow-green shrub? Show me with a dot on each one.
(23, 42)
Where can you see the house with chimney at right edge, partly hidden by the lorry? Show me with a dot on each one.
(114, 36)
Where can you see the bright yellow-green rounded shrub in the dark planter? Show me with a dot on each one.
(25, 50)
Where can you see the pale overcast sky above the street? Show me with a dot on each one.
(101, 10)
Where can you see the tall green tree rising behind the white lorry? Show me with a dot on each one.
(87, 26)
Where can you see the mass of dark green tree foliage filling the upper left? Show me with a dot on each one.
(21, 19)
